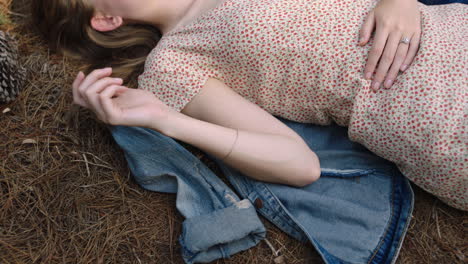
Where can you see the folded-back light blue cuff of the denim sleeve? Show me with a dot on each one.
(222, 233)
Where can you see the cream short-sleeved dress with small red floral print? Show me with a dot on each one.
(299, 59)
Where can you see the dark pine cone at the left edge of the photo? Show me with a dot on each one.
(12, 75)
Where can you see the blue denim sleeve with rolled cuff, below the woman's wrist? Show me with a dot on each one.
(218, 224)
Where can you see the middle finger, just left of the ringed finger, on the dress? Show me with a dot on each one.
(386, 60)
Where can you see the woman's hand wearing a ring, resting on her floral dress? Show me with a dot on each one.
(393, 21)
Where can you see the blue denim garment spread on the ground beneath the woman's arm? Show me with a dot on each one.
(357, 212)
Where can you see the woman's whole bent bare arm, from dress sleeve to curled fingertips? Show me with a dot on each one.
(217, 120)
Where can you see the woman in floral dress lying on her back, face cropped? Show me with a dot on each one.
(221, 70)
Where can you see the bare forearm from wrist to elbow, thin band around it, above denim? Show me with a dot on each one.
(266, 157)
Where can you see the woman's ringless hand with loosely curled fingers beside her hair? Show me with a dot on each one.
(118, 105)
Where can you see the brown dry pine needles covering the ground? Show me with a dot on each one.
(67, 196)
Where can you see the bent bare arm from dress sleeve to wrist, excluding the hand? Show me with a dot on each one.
(264, 148)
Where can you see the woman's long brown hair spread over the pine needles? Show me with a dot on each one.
(66, 26)
